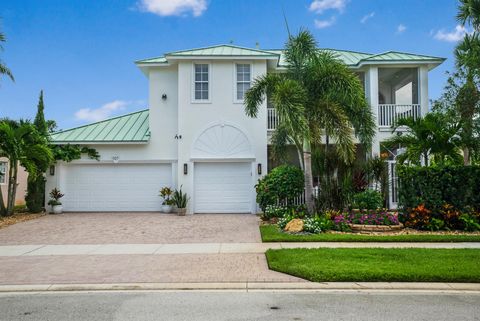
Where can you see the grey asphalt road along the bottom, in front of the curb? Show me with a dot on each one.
(213, 306)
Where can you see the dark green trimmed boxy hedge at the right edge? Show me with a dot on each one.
(435, 186)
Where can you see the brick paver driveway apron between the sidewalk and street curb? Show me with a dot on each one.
(139, 269)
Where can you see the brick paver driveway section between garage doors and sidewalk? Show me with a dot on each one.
(134, 228)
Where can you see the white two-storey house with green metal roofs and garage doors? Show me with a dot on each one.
(195, 133)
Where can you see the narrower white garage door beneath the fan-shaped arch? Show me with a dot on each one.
(223, 188)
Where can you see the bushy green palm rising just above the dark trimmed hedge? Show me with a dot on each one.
(435, 135)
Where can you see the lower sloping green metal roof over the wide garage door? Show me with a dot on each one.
(122, 129)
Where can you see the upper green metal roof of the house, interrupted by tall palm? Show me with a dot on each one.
(351, 58)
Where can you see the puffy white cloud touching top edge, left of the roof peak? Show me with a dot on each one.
(173, 7)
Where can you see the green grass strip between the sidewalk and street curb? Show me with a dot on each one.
(378, 265)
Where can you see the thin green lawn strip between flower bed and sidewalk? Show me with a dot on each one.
(271, 233)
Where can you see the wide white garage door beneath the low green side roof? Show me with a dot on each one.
(115, 187)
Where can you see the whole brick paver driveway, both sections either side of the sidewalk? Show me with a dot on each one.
(71, 231)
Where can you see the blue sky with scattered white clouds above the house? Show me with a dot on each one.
(82, 52)
